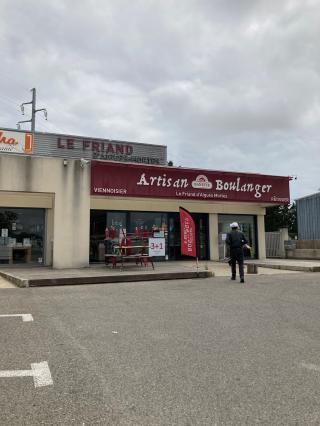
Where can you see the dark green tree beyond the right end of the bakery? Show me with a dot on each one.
(282, 216)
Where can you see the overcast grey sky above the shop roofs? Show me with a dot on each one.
(225, 84)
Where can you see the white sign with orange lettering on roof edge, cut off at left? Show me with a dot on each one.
(16, 142)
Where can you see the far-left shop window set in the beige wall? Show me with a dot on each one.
(22, 236)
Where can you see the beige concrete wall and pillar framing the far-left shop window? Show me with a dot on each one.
(63, 189)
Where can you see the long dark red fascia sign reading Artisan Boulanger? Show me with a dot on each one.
(131, 180)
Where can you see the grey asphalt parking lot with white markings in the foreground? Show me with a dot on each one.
(188, 352)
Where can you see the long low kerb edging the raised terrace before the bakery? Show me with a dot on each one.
(105, 279)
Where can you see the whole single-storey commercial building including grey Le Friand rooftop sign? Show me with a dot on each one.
(64, 203)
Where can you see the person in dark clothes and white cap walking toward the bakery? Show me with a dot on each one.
(236, 242)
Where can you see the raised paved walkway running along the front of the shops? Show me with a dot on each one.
(44, 276)
